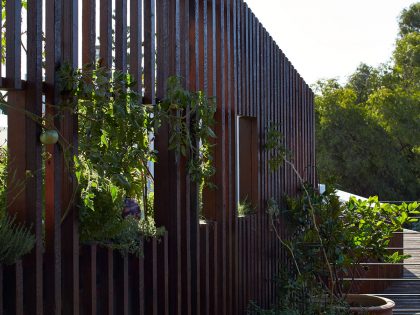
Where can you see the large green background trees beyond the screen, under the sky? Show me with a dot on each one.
(368, 130)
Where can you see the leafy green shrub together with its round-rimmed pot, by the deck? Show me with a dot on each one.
(330, 240)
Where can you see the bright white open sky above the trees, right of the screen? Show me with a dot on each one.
(330, 38)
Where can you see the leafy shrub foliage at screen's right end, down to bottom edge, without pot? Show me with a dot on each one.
(329, 241)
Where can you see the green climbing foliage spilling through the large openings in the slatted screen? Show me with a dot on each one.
(116, 134)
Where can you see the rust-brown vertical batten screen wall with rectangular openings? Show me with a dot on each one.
(215, 266)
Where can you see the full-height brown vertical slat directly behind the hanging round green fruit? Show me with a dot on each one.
(53, 173)
